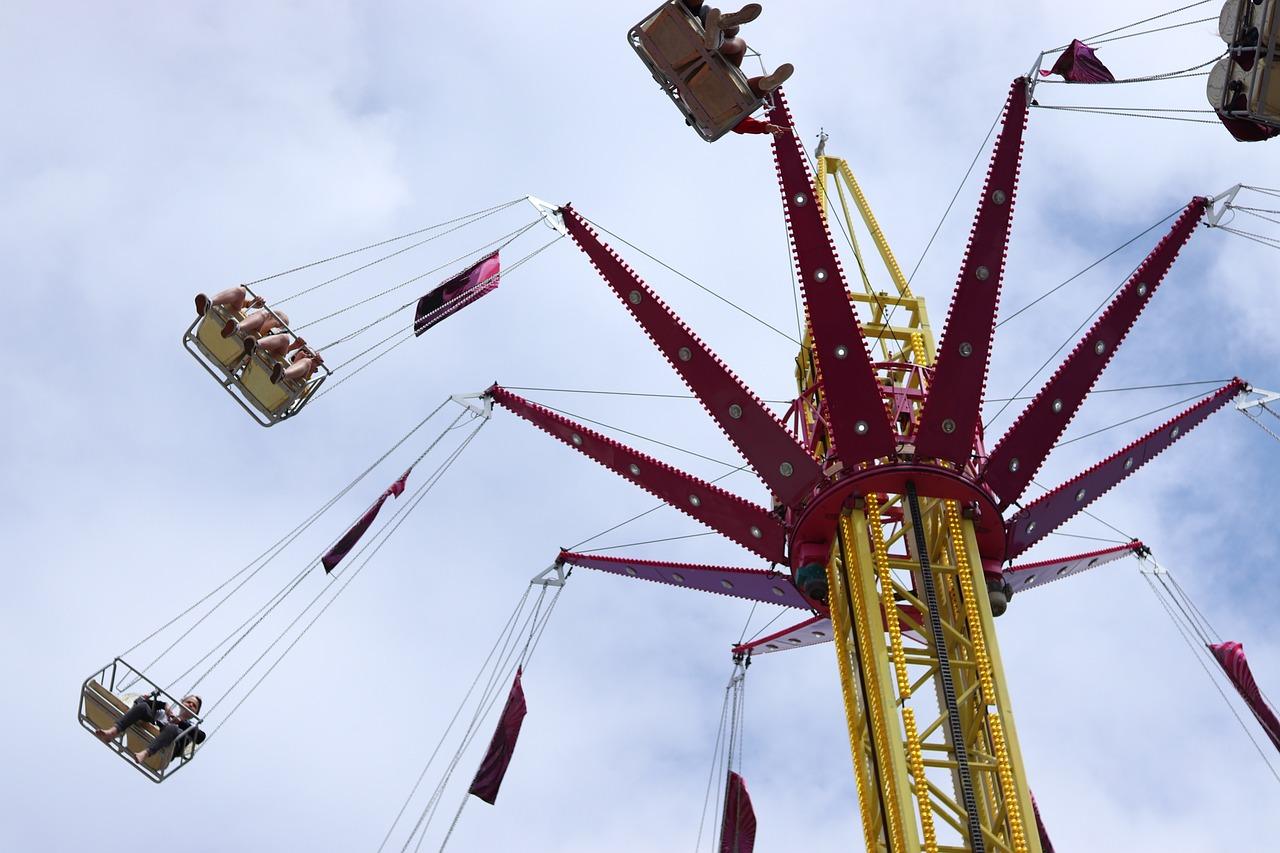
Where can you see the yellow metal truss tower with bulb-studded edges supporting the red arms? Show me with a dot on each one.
(931, 731)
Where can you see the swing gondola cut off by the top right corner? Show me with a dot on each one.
(1252, 31)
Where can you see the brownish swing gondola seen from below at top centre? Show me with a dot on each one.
(710, 90)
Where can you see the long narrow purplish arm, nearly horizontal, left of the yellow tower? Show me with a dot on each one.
(752, 585)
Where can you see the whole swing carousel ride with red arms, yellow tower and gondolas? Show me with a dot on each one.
(894, 526)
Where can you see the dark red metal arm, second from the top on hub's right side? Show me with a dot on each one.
(1020, 455)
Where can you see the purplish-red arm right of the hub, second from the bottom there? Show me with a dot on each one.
(1050, 512)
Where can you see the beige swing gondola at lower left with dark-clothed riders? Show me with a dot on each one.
(108, 695)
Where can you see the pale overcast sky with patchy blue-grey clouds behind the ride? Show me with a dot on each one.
(157, 150)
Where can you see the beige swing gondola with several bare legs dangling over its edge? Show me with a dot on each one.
(248, 378)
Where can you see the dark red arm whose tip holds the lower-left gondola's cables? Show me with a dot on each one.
(751, 526)
